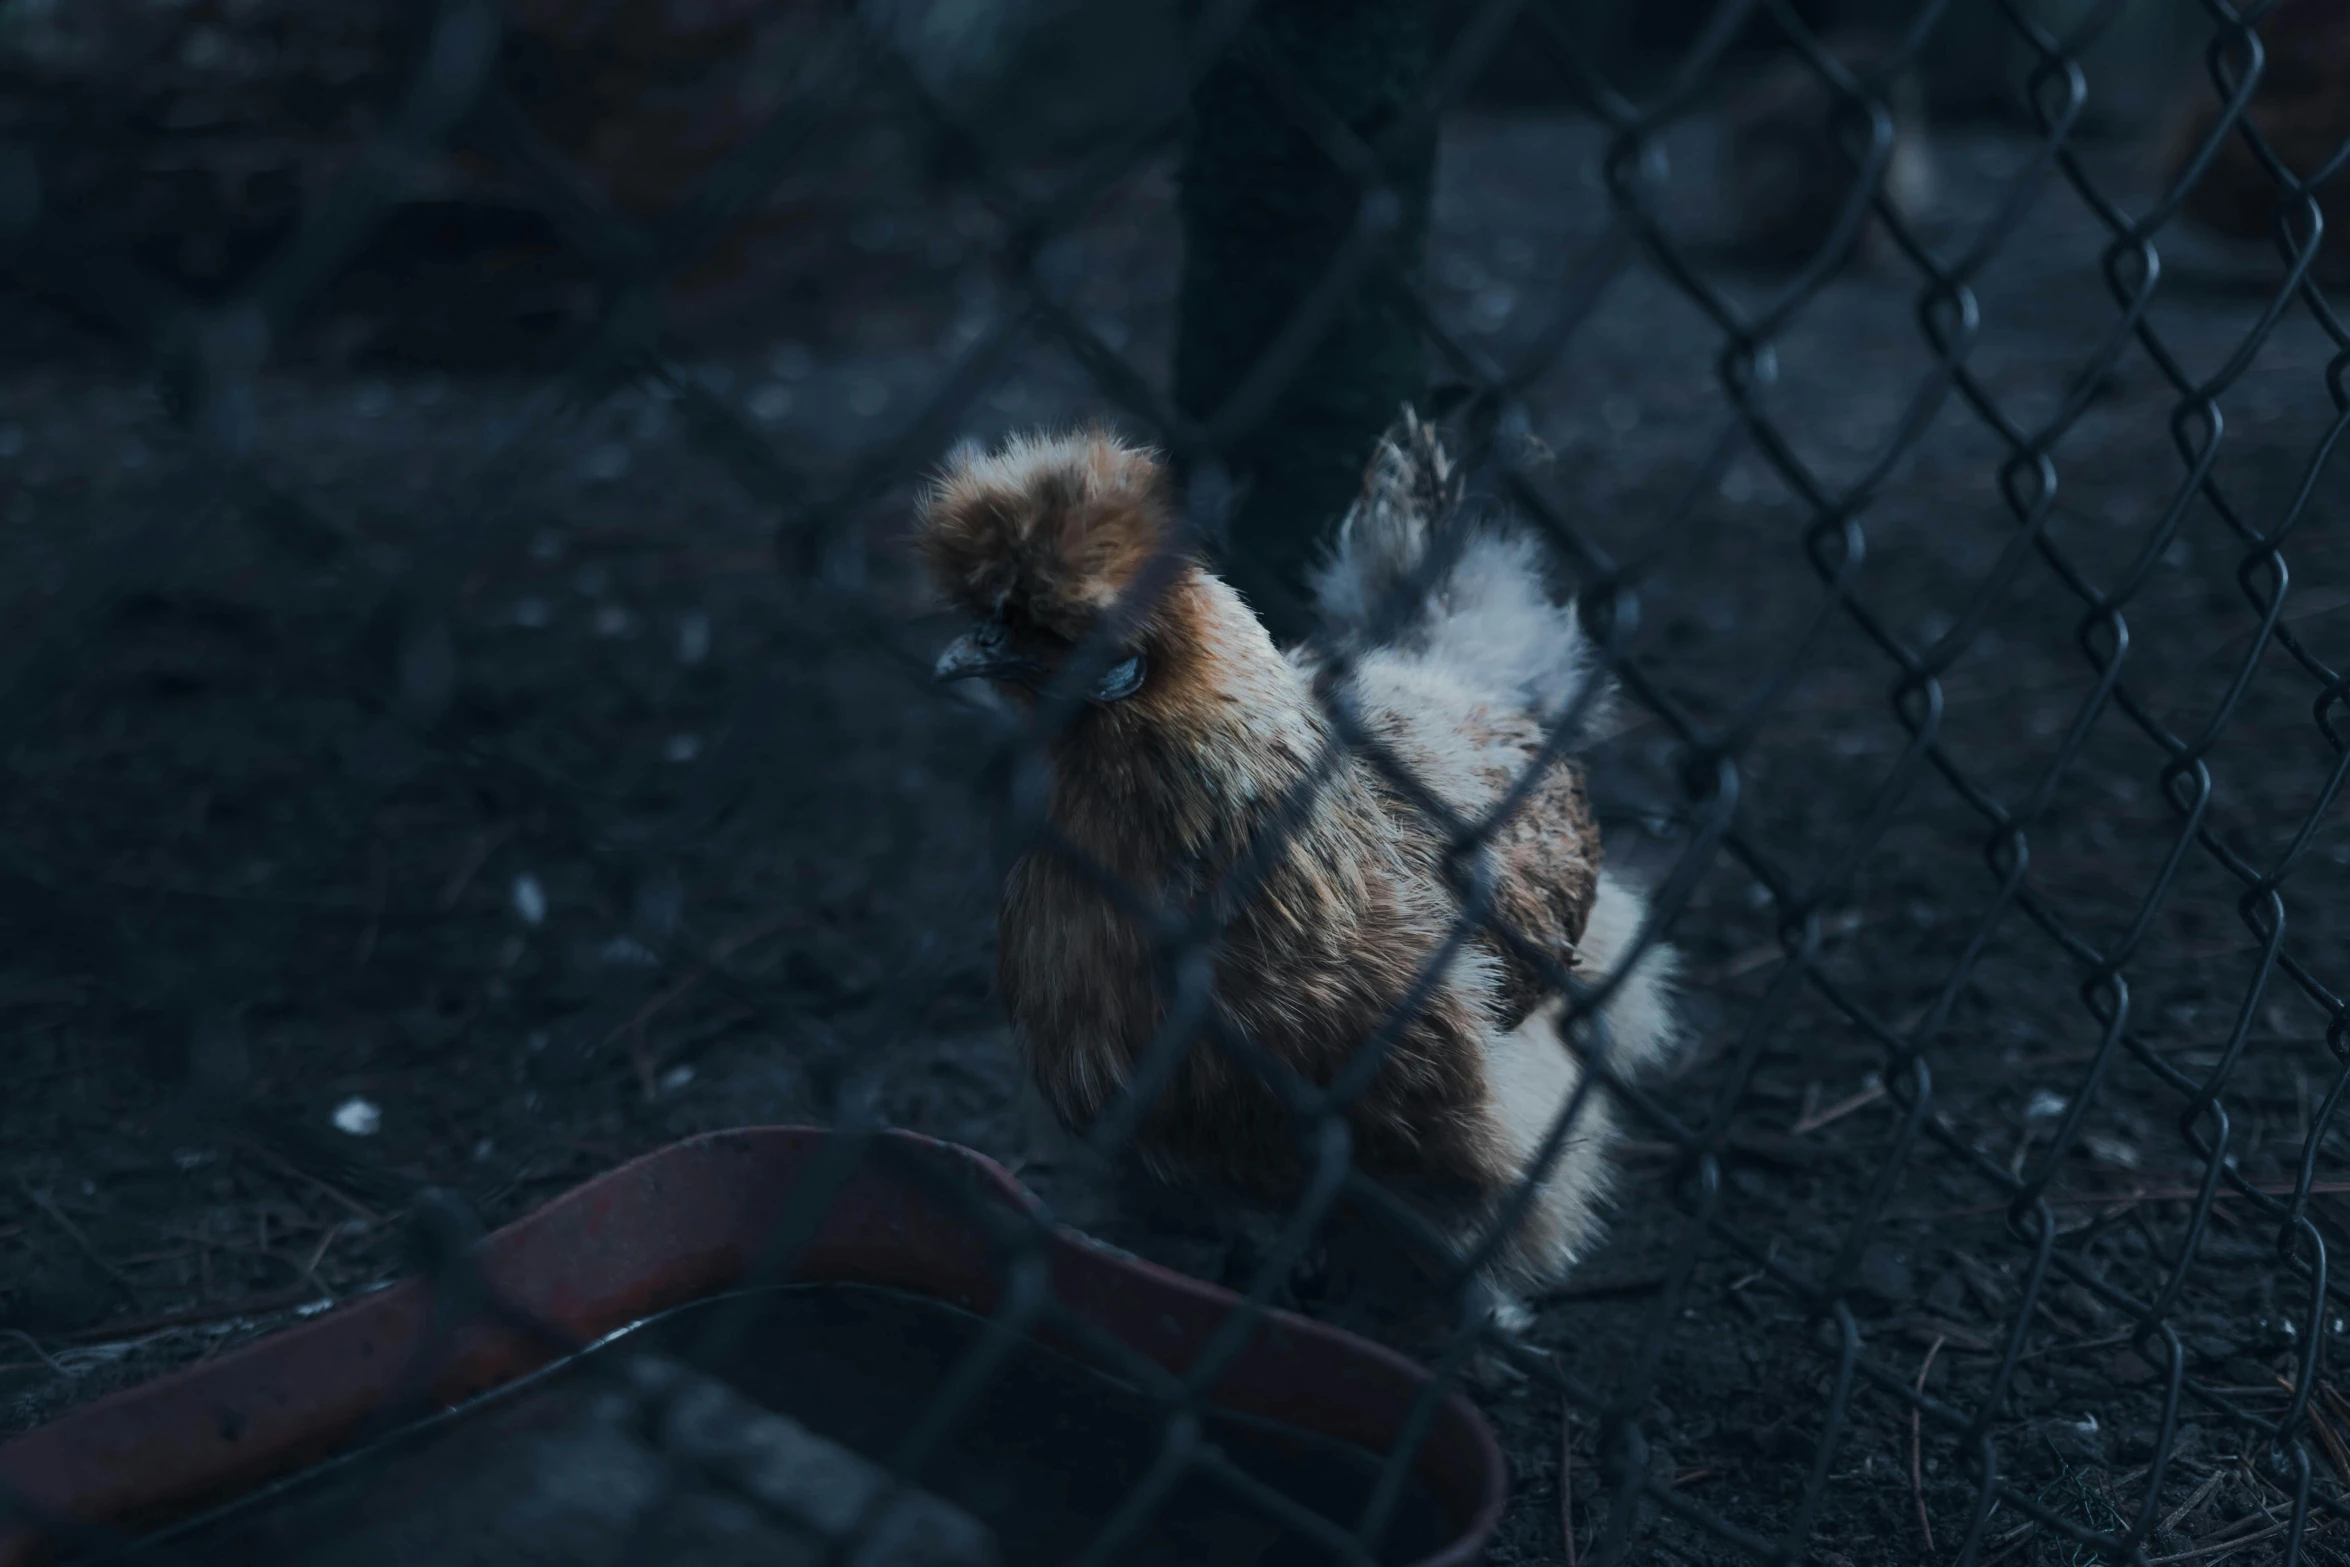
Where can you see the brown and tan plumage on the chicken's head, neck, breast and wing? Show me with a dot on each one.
(1171, 791)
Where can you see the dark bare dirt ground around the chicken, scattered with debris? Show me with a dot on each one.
(438, 955)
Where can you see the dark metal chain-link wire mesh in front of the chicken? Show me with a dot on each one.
(2173, 1260)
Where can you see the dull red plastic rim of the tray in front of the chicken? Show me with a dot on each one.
(676, 1228)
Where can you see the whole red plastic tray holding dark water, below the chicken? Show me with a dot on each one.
(652, 1312)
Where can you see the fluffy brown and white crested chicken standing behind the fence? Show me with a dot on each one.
(1197, 734)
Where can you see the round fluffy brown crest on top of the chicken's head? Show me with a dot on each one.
(1049, 527)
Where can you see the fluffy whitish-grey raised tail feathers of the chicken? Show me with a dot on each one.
(1486, 619)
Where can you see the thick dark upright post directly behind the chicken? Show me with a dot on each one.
(1265, 210)
